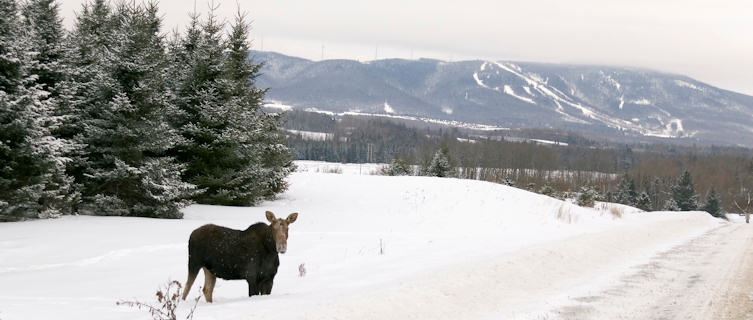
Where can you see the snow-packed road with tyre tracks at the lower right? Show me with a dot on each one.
(708, 277)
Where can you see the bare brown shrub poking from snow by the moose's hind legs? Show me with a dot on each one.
(168, 299)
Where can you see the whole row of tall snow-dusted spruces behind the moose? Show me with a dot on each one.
(114, 117)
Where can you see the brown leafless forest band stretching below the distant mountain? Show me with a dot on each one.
(526, 159)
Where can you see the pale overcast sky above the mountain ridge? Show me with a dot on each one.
(709, 40)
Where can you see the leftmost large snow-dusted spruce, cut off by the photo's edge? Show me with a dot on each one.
(33, 183)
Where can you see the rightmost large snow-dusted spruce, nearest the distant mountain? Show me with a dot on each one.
(234, 152)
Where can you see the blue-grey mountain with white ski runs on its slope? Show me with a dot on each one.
(593, 100)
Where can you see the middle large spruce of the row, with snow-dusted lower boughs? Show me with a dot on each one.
(126, 134)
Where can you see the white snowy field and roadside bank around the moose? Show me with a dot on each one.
(374, 247)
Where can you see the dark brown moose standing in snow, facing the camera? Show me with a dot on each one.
(230, 254)
